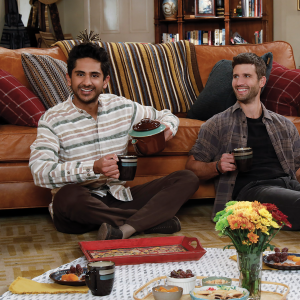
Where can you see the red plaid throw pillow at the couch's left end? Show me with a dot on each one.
(18, 105)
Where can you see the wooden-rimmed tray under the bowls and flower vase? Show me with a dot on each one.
(145, 292)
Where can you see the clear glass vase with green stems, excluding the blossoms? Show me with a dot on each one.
(250, 269)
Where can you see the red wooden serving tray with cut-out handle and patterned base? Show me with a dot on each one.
(143, 250)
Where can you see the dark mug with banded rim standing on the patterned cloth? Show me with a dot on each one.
(100, 277)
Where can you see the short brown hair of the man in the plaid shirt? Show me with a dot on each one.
(251, 59)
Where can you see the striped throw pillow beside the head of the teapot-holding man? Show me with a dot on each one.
(47, 77)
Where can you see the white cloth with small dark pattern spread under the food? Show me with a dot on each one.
(129, 278)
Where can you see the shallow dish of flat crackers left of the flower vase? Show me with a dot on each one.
(219, 292)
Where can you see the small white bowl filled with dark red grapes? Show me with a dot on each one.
(184, 279)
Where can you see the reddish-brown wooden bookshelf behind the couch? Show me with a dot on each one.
(185, 21)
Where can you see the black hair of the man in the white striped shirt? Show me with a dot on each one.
(90, 50)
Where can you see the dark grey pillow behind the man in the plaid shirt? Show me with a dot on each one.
(218, 94)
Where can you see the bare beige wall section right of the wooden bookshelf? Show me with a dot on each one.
(286, 22)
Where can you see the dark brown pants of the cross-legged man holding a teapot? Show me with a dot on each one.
(76, 210)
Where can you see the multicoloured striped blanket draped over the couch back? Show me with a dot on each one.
(164, 76)
